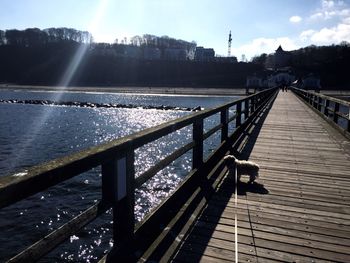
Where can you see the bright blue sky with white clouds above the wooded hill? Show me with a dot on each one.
(257, 26)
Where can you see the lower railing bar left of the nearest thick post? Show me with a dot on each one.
(56, 237)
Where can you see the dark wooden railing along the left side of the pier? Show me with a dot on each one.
(118, 172)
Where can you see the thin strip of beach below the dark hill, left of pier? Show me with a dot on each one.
(130, 90)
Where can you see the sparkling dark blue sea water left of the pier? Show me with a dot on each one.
(31, 134)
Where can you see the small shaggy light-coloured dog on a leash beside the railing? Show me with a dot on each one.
(243, 168)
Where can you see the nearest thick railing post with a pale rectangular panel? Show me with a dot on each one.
(118, 190)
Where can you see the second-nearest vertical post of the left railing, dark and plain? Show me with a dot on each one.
(198, 144)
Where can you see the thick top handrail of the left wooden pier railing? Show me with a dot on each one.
(46, 175)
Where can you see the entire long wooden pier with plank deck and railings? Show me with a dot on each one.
(297, 211)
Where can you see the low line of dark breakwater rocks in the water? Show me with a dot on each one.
(98, 105)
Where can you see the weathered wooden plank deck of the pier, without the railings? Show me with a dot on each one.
(299, 210)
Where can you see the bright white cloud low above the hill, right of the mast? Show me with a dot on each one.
(264, 45)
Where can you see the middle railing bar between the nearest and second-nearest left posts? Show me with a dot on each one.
(140, 180)
